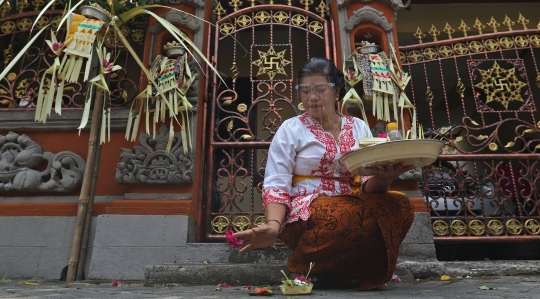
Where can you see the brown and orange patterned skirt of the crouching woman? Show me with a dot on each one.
(353, 236)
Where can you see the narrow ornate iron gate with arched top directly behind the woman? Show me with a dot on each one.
(261, 47)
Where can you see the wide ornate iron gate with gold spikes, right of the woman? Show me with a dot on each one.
(474, 92)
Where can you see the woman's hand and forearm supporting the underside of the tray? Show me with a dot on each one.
(384, 176)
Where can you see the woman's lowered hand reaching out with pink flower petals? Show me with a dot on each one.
(259, 237)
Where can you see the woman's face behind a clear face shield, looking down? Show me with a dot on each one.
(318, 97)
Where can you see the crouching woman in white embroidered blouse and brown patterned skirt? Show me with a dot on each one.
(307, 195)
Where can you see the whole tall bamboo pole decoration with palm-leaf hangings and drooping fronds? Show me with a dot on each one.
(74, 55)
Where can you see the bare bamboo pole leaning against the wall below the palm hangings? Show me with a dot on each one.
(87, 180)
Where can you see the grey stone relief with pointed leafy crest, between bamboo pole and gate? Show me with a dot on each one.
(149, 163)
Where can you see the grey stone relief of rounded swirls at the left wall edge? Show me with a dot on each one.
(21, 159)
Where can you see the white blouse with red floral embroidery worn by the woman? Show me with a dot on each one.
(302, 147)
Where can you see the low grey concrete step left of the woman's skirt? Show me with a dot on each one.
(214, 274)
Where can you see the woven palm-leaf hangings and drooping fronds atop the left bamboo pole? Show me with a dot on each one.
(86, 36)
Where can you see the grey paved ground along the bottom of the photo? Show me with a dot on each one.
(505, 287)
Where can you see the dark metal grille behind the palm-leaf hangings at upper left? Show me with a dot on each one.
(20, 87)
